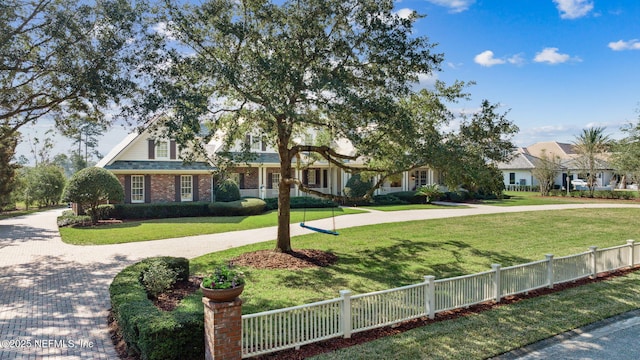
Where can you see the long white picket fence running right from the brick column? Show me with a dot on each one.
(276, 330)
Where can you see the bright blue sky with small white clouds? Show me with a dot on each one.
(558, 66)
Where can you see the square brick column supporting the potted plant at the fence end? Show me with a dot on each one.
(223, 329)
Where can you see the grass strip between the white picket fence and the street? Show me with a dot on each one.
(506, 328)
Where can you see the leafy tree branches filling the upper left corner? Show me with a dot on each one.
(61, 59)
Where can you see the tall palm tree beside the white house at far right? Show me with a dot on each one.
(590, 145)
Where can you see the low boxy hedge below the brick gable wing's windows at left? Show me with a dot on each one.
(160, 210)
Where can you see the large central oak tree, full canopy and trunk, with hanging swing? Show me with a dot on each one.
(347, 68)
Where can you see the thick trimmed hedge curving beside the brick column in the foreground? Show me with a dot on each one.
(150, 333)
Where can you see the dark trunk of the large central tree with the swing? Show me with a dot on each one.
(284, 200)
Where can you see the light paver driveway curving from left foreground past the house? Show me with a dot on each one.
(54, 297)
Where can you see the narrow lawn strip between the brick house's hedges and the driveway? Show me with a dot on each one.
(179, 227)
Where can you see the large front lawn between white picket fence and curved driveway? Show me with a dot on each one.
(385, 256)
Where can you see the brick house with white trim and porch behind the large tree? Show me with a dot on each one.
(151, 170)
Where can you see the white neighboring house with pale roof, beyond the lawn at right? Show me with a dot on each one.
(526, 159)
